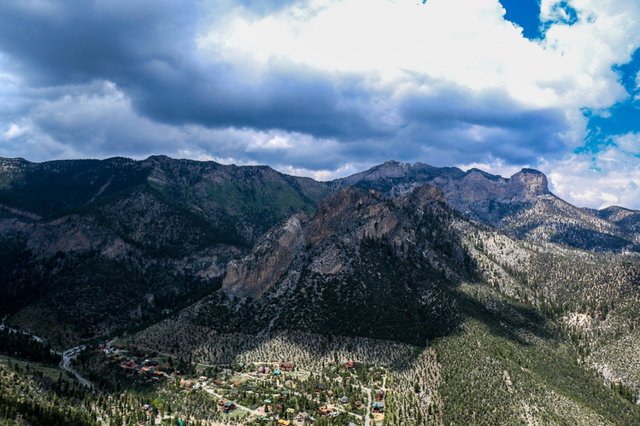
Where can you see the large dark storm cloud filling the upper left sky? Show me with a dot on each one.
(147, 48)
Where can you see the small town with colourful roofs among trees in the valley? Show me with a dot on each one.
(270, 393)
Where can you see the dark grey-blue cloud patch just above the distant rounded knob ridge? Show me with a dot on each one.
(458, 120)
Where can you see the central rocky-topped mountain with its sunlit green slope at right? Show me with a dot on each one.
(493, 321)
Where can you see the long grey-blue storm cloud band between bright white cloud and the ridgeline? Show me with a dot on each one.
(66, 51)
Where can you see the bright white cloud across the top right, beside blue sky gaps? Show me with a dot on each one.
(395, 42)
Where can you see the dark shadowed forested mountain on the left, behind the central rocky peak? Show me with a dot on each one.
(103, 244)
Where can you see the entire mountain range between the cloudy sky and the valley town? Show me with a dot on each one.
(486, 300)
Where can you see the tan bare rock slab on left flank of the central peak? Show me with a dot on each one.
(259, 271)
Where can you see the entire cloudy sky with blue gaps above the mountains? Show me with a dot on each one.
(326, 88)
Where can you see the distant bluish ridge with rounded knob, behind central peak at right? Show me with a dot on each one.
(521, 205)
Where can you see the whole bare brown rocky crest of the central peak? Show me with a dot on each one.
(329, 239)
